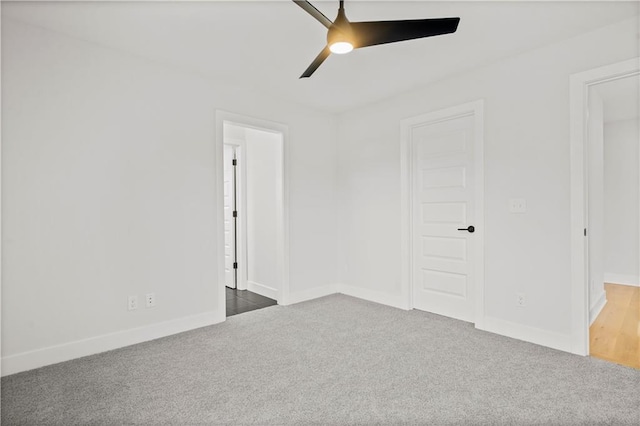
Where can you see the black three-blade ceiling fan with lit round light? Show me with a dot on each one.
(344, 36)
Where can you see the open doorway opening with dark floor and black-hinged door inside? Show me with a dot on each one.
(253, 204)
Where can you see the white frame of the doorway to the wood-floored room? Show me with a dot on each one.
(579, 85)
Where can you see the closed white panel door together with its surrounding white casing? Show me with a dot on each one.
(442, 182)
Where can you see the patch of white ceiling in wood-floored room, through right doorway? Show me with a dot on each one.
(621, 98)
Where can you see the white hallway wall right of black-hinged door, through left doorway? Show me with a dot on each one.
(263, 162)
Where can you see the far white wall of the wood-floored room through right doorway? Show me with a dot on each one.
(621, 213)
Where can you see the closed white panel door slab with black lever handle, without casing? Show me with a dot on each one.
(443, 209)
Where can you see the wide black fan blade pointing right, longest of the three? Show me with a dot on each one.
(382, 32)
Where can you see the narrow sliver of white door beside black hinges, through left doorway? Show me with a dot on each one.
(229, 220)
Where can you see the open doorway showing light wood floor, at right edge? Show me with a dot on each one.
(613, 216)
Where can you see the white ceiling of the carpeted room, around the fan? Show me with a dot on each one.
(266, 45)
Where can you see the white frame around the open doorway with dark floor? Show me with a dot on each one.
(282, 214)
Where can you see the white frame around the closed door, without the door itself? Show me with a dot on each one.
(476, 109)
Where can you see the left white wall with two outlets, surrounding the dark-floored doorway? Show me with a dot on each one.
(108, 190)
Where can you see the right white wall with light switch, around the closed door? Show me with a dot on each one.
(526, 156)
